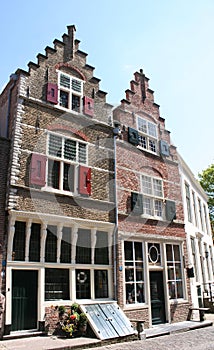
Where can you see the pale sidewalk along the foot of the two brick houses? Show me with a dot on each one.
(54, 343)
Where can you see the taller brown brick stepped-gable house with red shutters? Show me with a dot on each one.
(60, 198)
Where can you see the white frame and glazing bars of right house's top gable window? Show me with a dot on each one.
(149, 138)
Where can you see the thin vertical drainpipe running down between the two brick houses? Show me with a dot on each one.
(116, 133)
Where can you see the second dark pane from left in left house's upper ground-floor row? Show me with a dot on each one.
(34, 249)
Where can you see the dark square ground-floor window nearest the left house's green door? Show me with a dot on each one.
(56, 284)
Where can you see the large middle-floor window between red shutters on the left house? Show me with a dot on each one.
(63, 157)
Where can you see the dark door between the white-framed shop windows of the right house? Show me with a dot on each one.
(157, 297)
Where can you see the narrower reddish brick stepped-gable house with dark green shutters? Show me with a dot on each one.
(152, 282)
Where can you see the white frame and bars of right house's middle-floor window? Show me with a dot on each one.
(152, 199)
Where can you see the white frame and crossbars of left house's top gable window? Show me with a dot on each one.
(70, 92)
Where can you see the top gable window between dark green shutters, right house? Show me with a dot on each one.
(147, 135)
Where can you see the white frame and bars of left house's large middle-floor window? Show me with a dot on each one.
(62, 161)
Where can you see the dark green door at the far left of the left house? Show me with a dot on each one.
(24, 300)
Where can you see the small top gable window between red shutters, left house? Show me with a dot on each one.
(70, 92)
